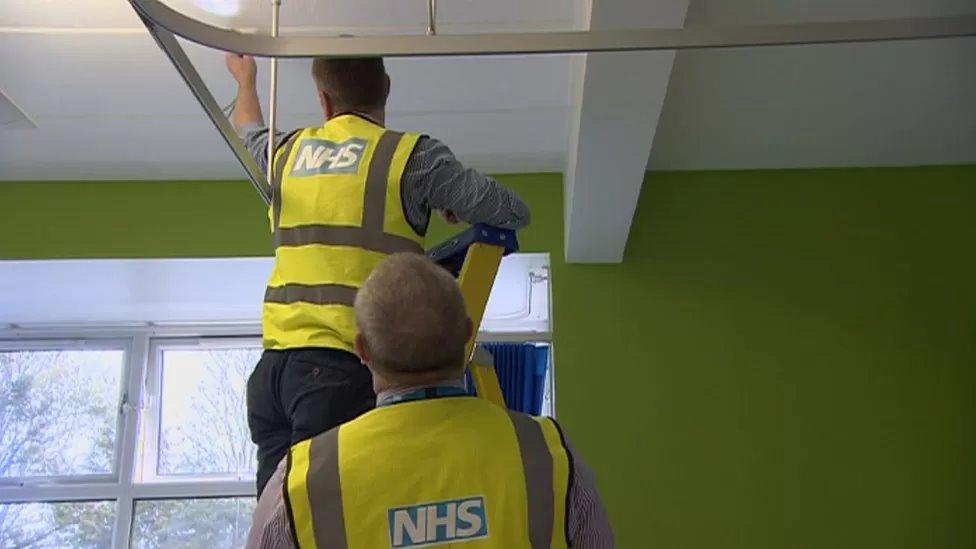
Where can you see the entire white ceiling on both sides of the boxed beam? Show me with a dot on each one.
(108, 105)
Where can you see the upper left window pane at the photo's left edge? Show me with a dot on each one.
(58, 411)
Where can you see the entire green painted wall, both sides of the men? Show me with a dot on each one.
(785, 359)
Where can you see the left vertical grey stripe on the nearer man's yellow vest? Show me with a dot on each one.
(325, 491)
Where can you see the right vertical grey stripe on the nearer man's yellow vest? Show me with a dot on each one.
(537, 463)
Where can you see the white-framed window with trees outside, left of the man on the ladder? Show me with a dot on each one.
(140, 440)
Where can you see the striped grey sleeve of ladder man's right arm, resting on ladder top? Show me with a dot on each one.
(435, 180)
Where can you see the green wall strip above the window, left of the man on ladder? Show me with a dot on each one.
(131, 219)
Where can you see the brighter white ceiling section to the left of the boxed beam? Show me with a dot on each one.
(108, 104)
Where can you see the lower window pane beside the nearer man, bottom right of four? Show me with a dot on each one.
(192, 523)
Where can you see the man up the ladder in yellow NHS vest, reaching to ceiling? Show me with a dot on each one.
(345, 196)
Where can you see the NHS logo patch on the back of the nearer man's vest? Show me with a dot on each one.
(438, 522)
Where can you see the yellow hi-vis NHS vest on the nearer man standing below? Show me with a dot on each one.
(433, 472)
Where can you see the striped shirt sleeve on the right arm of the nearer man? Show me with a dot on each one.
(587, 521)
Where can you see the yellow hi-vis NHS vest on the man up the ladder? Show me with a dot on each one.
(336, 213)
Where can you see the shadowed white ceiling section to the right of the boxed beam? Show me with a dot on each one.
(889, 103)
